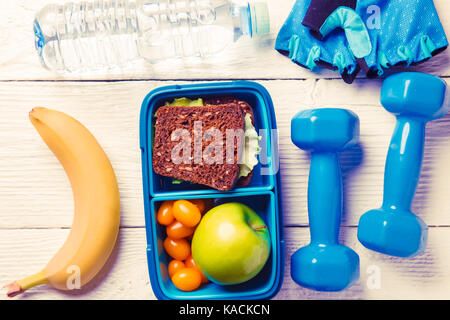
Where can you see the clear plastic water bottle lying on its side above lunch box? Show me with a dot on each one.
(105, 34)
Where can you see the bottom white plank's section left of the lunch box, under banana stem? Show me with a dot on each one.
(125, 275)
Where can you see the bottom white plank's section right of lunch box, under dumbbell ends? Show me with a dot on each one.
(381, 276)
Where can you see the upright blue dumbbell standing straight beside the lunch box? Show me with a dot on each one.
(325, 265)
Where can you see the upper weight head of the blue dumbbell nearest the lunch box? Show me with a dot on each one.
(325, 129)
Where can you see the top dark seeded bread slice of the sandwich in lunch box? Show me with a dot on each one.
(169, 118)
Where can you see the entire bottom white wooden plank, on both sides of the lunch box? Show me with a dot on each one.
(126, 276)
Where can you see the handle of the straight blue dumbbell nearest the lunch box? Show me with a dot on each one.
(324, 197)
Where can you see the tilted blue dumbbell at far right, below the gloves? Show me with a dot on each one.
(415, 98)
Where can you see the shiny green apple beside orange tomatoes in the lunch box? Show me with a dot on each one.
(231, 244)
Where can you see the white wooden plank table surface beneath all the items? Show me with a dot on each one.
(36, 200)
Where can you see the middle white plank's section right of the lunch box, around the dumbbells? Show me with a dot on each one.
(363, 166)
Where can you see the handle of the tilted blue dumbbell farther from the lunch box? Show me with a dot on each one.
(403, 163)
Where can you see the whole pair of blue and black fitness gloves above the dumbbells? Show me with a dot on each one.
(378, 33)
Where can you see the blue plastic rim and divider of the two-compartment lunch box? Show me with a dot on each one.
(146, 116)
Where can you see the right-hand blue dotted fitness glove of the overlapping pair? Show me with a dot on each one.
(408, 32)
